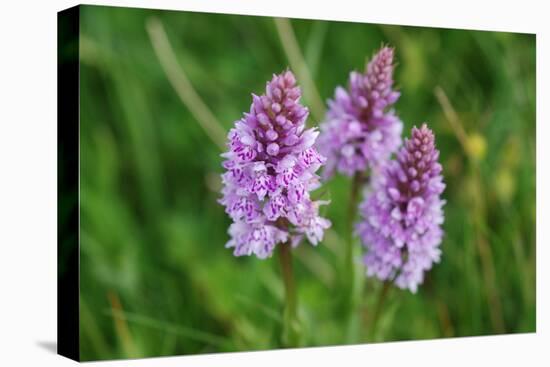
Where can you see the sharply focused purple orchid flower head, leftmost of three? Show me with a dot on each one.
(271, 165)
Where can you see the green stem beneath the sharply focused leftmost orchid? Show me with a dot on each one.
(291, 325)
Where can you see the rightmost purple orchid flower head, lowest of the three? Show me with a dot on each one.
(402, 214)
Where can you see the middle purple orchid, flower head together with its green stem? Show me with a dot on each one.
(360, 132)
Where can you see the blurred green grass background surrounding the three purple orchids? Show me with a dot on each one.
(155, 276)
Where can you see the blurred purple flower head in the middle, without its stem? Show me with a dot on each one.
(361, 130)
